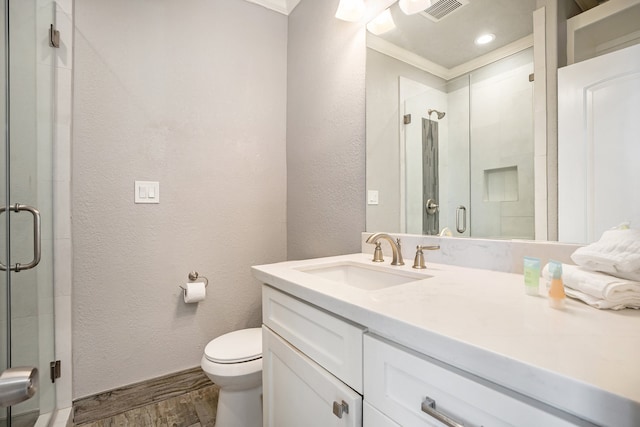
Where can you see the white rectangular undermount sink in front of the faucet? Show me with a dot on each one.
(362, 276)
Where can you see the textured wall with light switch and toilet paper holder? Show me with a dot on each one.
(191, 94)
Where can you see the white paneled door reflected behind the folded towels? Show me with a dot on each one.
(599, 145)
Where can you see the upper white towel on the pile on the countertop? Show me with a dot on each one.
(616, 253)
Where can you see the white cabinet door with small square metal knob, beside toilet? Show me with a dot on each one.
(299, 392)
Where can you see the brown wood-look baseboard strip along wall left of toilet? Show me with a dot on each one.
(114, 402)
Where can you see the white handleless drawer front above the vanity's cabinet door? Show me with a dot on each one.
(333, 343)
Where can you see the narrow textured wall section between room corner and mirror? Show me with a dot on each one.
(325, 132)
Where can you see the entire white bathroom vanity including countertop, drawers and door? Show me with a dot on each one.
(467, 341)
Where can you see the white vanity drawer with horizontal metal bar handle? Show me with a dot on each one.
(398, 381)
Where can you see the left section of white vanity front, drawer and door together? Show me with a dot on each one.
(312, 365)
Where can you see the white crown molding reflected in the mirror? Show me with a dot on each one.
(389, 49)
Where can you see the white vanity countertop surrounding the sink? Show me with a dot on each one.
(582, 360)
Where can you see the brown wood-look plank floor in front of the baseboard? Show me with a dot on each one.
(194, 409)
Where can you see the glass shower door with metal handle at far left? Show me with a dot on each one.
(26, 295)
